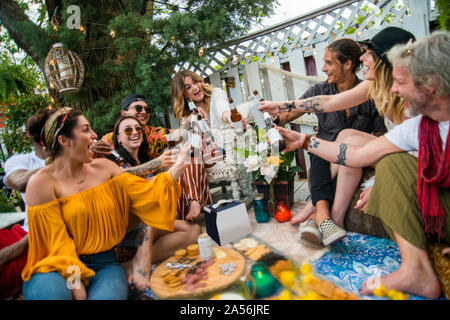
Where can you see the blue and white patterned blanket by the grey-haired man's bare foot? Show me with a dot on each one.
(352, 260)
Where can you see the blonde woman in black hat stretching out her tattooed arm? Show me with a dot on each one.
(377, 86)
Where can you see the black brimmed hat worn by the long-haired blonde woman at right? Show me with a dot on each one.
(384, 40)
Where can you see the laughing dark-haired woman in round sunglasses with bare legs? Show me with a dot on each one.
(128, 142)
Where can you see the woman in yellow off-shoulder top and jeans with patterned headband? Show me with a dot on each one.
(78, 210)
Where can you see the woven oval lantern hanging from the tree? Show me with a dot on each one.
(64, 69)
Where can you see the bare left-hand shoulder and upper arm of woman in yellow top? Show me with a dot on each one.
(40, 188)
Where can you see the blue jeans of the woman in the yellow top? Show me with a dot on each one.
(108, 283)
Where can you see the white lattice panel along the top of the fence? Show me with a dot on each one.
(311, 32)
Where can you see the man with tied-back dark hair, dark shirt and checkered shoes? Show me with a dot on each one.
(341, 61)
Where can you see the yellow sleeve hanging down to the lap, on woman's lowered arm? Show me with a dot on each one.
(50, 248)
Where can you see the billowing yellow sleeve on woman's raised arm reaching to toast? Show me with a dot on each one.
(155, 202)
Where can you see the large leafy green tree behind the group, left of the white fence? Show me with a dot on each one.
(151, 38)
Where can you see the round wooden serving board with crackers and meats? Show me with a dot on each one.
(216, 280)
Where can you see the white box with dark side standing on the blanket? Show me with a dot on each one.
(227, 221)
